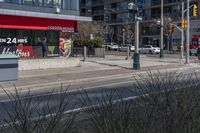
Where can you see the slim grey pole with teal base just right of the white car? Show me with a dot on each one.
(161, 32)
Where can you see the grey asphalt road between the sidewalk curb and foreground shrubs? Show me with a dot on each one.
(82, 95)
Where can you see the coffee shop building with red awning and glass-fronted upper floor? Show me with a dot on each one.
(25, 23)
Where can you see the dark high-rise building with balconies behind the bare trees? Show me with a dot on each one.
(115, 13)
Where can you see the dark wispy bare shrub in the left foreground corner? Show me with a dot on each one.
(29, 114)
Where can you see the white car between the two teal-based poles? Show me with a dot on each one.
(149, 49)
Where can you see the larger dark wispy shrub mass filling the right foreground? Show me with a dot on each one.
(166, 103)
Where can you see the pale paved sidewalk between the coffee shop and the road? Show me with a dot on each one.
(93, 69)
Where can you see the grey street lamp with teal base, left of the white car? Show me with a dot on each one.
(136, 60)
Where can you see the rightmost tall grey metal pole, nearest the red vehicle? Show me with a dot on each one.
(188, 33)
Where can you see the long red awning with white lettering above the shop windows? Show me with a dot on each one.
(36, 23)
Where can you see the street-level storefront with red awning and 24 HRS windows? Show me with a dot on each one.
(23, 35)
